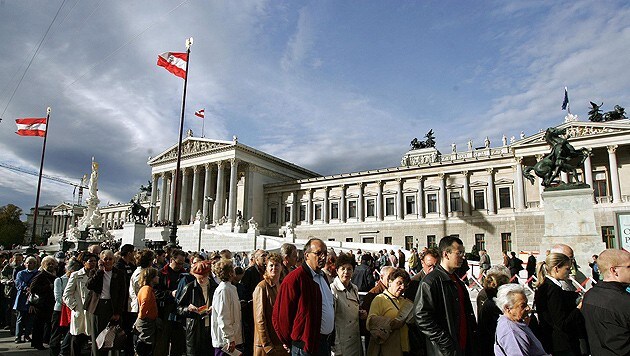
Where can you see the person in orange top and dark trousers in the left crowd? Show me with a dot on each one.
(145, 325)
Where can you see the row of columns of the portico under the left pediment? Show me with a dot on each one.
(197, 198)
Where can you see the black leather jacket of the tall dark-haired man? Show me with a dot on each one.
(437, 314)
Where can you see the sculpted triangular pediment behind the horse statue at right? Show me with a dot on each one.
(577, 129)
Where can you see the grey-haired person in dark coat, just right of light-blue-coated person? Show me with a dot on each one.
(42, 286)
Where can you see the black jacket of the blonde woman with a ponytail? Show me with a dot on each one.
(561, 322)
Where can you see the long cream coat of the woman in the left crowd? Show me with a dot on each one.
(74, 296)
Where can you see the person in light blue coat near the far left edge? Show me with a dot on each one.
(23, 280)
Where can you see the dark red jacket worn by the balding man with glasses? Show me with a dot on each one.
(297, 313)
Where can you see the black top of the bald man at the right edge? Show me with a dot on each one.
(606, 310)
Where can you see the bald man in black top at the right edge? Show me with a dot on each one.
(606, 306)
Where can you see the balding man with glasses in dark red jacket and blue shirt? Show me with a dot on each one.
(303, 314)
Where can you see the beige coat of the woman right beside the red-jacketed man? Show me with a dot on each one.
(347, 334)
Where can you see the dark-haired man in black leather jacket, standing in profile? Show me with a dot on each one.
(442, 306)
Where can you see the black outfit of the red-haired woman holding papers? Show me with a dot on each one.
(192, 294)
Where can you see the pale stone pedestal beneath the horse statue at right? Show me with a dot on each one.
(569, 219)
